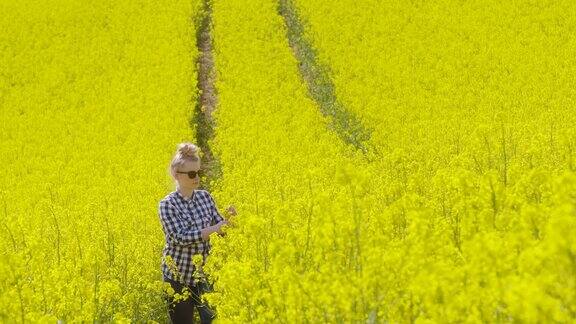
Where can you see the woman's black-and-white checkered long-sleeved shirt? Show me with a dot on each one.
(182, 221)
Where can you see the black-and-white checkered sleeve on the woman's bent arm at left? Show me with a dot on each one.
(174, 229)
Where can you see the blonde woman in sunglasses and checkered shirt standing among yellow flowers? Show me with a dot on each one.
(188, 217)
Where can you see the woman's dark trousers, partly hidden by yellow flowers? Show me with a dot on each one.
(183, 311)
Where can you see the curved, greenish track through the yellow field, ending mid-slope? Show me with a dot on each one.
(320, 87)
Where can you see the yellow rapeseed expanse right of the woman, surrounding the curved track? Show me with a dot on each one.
(465, 213)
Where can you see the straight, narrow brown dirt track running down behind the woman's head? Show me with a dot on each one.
(207, 100)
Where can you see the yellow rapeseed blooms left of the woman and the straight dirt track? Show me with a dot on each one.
(94, 97)
